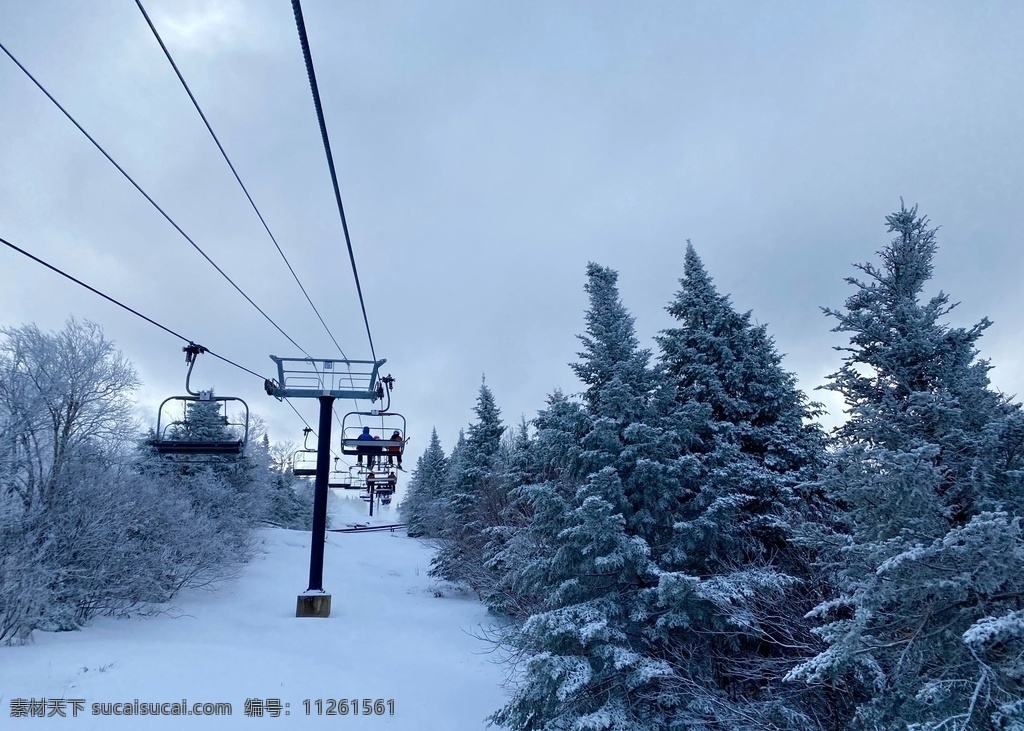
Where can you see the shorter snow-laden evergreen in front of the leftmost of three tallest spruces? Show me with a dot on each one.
(584, 669)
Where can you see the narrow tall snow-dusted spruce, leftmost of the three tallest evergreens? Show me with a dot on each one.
(586, 666)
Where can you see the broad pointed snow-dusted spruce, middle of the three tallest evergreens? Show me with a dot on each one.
(730, 599)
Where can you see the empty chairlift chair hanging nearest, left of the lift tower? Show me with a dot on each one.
(203, 428)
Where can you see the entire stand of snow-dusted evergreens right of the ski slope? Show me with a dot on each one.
(681, 547)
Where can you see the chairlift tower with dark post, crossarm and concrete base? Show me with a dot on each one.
(324, 380)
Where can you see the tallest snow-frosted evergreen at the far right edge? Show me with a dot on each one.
(927, 622)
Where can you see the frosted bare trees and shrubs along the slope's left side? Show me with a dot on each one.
(95, 523)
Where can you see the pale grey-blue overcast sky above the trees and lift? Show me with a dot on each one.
(487, 152)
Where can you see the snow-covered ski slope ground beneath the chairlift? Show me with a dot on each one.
(390, 637)
